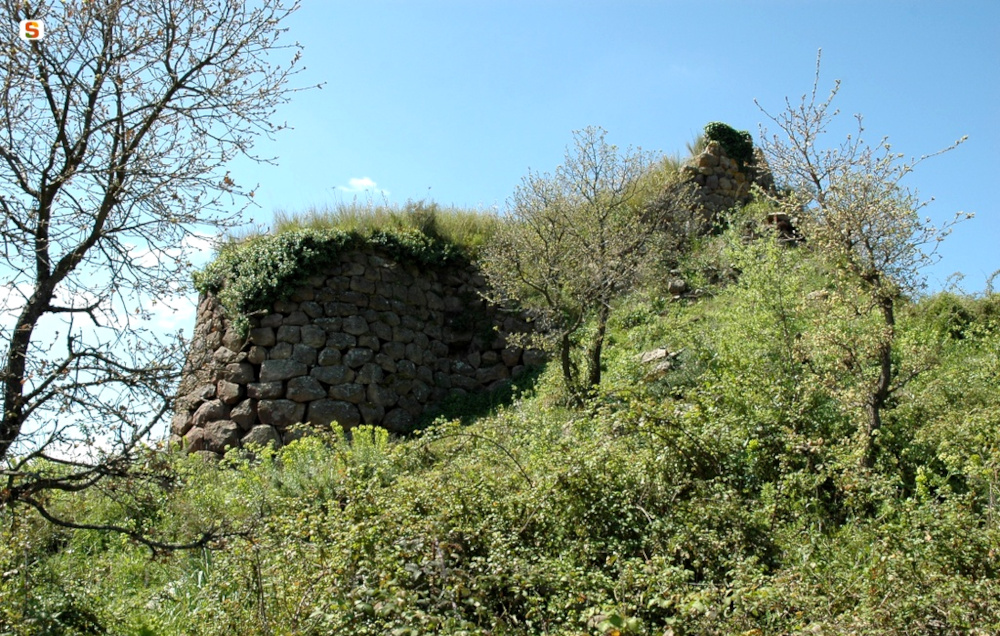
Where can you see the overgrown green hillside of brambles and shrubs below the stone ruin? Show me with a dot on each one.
(715, 489)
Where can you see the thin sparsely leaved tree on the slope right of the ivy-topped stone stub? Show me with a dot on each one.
(856, 212)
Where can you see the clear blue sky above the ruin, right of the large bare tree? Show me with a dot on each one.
(453, 101)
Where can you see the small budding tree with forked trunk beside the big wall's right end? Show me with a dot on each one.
(574, 241)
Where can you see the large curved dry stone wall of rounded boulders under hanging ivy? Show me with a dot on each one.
(370, 341)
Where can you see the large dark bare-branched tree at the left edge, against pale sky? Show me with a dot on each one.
(114, 133)
